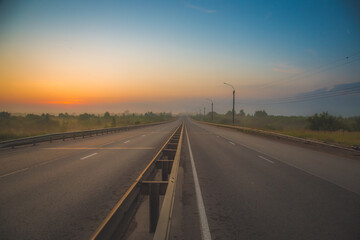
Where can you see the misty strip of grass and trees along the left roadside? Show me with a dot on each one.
(12, 127)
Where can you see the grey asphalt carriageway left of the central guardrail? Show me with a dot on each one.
(64, 189)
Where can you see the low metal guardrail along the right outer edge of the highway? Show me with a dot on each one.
(281, 136)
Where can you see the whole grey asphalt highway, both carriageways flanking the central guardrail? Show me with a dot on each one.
(232, 186)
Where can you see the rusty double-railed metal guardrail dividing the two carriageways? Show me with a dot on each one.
(167, 160)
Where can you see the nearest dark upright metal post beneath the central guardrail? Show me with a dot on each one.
(154, 206)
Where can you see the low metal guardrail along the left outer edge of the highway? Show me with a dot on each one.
(63, 136)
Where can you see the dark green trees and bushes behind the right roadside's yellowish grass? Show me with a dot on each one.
(261, 120)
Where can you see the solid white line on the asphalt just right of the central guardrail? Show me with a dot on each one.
(205, 230)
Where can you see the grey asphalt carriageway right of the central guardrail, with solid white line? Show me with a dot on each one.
(257, 188)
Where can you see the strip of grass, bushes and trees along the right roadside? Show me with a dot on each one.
(323, 127)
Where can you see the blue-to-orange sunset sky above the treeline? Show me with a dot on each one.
(141, 55)
